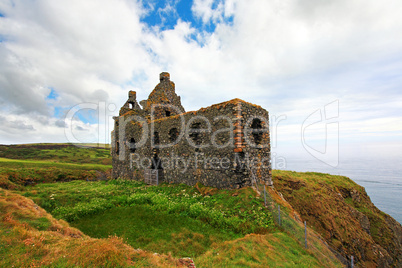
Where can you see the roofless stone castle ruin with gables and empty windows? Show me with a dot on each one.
(226, 145)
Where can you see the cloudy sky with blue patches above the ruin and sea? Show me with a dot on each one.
(329, 72)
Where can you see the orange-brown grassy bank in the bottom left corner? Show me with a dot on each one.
(30, 237)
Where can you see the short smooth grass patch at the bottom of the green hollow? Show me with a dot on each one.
(155, 231)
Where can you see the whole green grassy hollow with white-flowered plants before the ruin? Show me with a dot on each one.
(174, 219)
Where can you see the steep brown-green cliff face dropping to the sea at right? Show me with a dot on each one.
(342, 212)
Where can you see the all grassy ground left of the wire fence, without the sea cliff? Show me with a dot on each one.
(54, 212)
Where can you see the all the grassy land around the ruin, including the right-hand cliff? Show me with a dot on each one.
(92, 221)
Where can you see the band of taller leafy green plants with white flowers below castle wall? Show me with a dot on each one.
(241, 213)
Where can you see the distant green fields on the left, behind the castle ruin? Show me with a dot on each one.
(28, 164)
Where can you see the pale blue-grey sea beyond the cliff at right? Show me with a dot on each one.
(381, 178)
